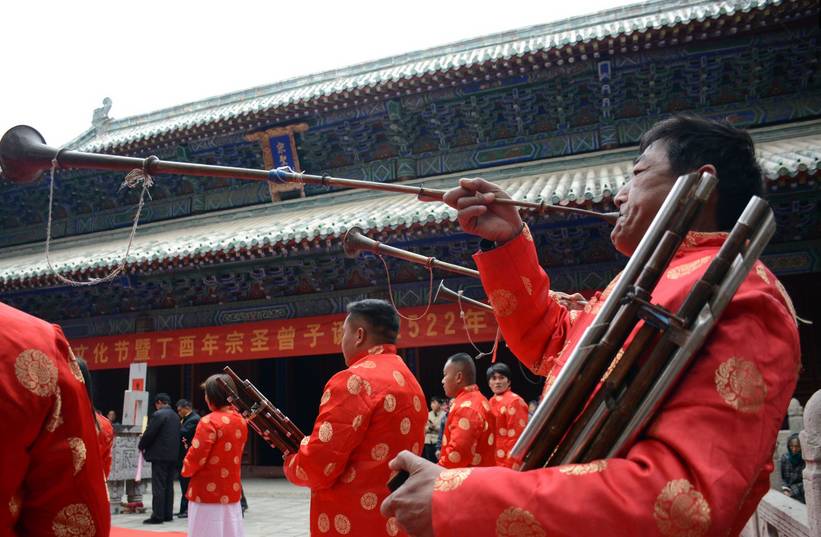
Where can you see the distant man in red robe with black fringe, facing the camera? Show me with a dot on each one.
(509, 411)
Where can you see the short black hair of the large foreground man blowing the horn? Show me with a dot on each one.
(693, 141)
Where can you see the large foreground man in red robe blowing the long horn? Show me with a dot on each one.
(681, 477)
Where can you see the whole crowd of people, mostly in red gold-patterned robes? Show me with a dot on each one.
(679, 478)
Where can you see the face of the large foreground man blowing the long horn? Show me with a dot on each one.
(640, 199)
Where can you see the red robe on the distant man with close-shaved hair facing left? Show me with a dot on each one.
(468, 438)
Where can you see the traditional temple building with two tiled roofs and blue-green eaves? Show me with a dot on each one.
(253, 274)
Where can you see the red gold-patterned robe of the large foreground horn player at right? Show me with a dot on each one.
(704, 462)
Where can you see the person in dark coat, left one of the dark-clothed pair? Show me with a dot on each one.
(160, 444)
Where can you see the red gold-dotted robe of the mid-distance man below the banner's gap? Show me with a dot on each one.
(368, 414)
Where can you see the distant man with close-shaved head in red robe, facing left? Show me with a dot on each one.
(468, 436)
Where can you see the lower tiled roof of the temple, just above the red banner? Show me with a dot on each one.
(284, 227)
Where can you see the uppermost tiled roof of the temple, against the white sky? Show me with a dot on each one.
(637, 18)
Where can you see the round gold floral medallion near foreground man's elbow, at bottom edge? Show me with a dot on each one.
(681, 510)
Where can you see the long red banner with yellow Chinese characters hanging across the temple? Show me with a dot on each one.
(304, 336)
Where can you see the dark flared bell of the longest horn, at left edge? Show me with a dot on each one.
(24, 154)
